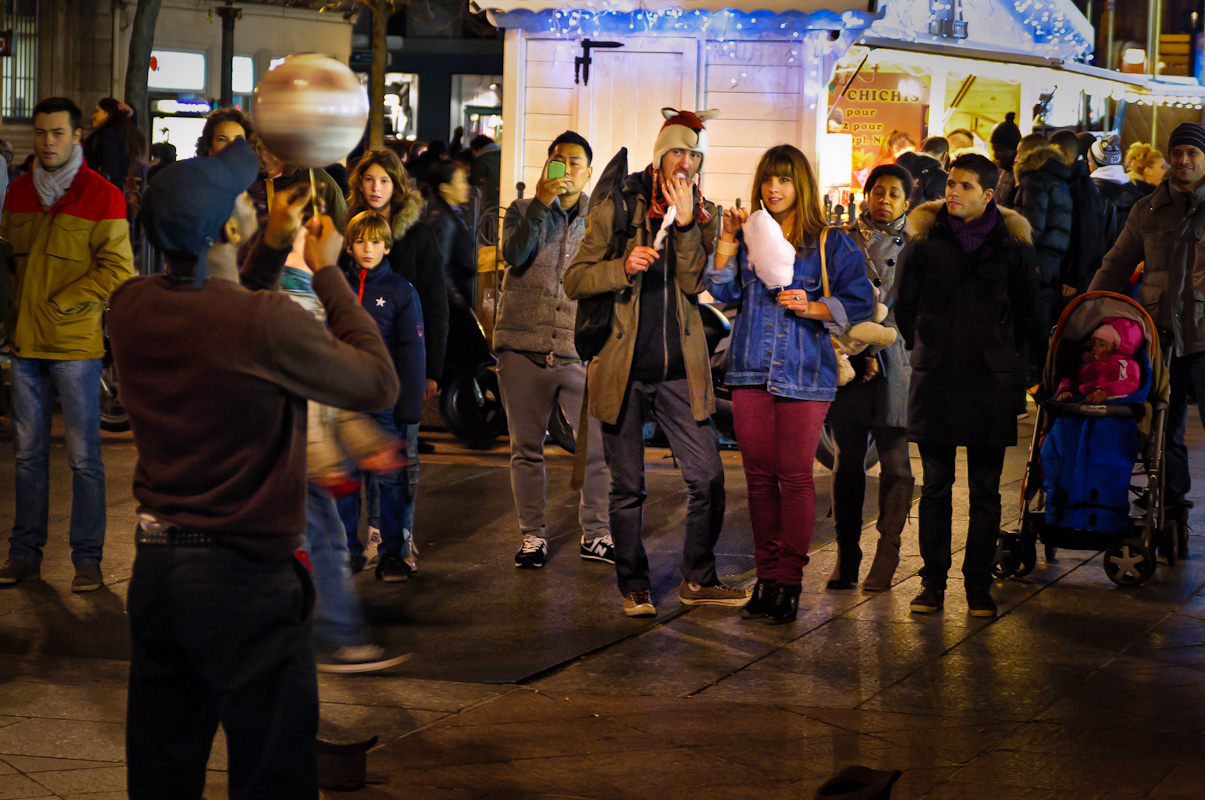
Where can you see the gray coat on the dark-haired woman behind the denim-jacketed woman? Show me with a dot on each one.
(883, 251)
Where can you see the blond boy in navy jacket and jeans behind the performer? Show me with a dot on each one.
(393, 304)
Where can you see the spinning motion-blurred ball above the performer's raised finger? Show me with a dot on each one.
(310, 111)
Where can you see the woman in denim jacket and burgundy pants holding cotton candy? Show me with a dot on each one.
(783, 368)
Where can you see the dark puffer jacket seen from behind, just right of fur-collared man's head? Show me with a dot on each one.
(1045, 202)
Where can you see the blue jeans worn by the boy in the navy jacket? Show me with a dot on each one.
(397, 492)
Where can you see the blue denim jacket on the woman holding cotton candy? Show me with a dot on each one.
(773, 348)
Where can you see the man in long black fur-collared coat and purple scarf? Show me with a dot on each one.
(967, 290)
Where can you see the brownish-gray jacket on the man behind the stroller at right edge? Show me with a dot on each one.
(1163, 231)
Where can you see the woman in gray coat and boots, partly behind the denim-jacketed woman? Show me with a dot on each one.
(875, 402)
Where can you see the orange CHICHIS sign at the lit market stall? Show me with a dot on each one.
(873, 108)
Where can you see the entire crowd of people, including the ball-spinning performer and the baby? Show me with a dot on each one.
(278, 369)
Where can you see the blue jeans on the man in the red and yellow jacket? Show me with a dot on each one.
(36, 384)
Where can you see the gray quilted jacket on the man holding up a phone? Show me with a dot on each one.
(534, 314)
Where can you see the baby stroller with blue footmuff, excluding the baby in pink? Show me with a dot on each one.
(1079, 490)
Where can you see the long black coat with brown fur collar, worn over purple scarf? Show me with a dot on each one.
(962, 316)
